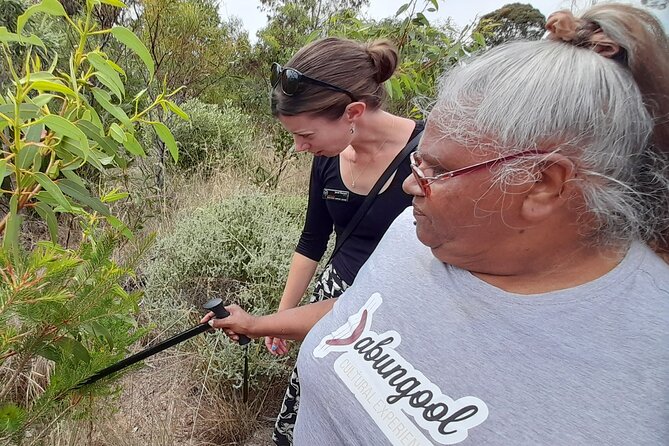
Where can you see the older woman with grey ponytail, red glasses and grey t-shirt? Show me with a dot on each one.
(530, 309)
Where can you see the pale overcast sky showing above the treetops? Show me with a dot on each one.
(463, 12)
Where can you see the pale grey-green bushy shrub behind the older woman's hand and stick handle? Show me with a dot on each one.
(239, 250)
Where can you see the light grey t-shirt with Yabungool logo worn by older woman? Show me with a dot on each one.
(417, 352)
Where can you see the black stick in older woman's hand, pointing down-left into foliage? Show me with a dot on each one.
(215, 305)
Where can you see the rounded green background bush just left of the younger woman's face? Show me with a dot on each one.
(214, 133)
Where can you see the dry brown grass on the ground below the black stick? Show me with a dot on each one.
(167, 404)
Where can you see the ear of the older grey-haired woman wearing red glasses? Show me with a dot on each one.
(553, 184)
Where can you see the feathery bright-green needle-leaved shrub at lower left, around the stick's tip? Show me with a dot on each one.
(63, 316)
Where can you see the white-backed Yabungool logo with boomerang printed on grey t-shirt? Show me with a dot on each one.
(399, 398)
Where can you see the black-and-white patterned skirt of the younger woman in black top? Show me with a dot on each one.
(329, 285)
